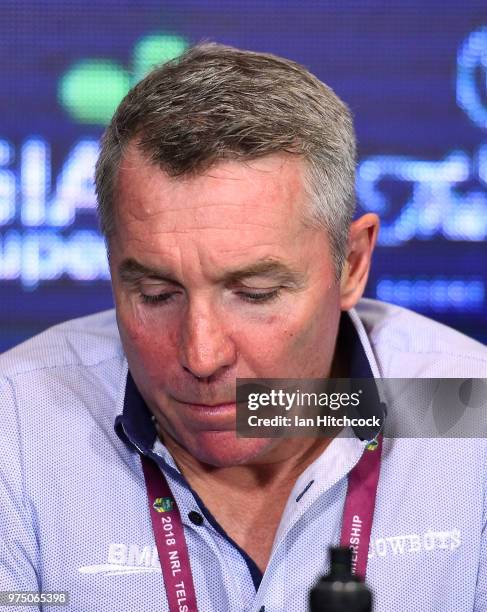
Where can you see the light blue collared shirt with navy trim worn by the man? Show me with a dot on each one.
(73, 505)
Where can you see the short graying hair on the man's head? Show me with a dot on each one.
(216, 103)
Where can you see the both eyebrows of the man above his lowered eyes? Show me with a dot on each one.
(132, 271)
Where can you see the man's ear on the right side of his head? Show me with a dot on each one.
(361, 242)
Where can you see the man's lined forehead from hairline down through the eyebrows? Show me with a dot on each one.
(233, 215)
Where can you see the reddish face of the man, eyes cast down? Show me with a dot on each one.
(217, 277)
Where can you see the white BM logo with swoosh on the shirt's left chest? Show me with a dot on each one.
(126, 559)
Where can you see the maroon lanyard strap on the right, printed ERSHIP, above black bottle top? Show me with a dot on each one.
(358, 511)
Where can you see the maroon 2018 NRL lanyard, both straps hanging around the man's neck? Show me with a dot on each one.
(168, 528)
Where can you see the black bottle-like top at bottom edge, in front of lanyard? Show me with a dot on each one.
(340, 590)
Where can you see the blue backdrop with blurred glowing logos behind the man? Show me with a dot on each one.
(414, 74)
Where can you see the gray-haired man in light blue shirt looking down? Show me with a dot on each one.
(225, 186)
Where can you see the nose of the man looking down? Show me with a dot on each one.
(206, 346)
